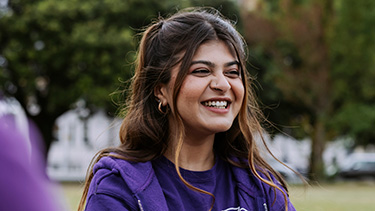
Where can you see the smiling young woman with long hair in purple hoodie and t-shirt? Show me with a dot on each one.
(187, 139)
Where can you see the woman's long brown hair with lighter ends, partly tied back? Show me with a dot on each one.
(145, 131)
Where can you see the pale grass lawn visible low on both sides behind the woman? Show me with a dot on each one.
(325, 197)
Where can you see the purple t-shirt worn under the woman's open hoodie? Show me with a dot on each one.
(219, 181)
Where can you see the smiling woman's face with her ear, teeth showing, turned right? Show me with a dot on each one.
(212, 93)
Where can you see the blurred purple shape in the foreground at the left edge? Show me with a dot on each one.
(23, 183)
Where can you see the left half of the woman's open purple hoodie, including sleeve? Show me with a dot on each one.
(124, 184)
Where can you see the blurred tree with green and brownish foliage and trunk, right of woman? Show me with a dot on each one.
(316, 60)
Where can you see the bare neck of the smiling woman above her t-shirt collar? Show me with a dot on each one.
(196, 153)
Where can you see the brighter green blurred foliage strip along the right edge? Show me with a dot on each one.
(353, 70)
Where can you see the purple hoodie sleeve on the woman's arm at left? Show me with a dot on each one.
(108, 191)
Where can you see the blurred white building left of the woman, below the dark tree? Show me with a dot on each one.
(79, 137)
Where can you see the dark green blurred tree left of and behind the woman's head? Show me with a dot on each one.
(53, 53)
